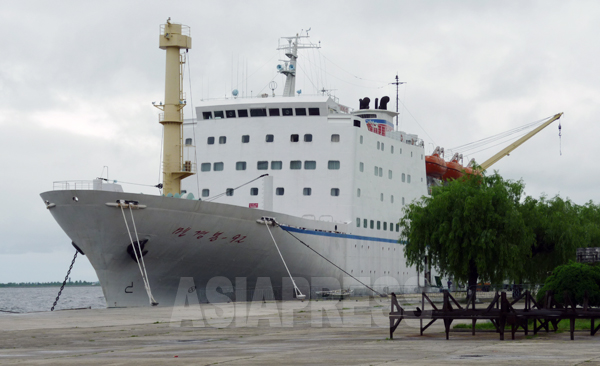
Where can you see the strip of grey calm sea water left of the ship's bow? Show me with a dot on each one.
(32, 299)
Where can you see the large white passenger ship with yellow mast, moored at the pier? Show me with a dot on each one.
(285, 185)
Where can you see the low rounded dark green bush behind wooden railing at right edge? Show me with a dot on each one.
(574, 278)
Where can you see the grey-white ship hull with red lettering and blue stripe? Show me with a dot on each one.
(223, 248)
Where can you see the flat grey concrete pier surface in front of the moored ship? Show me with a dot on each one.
(349, 332)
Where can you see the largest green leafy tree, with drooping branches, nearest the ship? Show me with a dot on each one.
(471, 228)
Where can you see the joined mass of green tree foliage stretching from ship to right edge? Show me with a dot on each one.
(481, 228)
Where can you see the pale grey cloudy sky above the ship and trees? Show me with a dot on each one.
(77, 80)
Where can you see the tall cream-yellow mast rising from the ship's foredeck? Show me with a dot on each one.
(173, 38)
